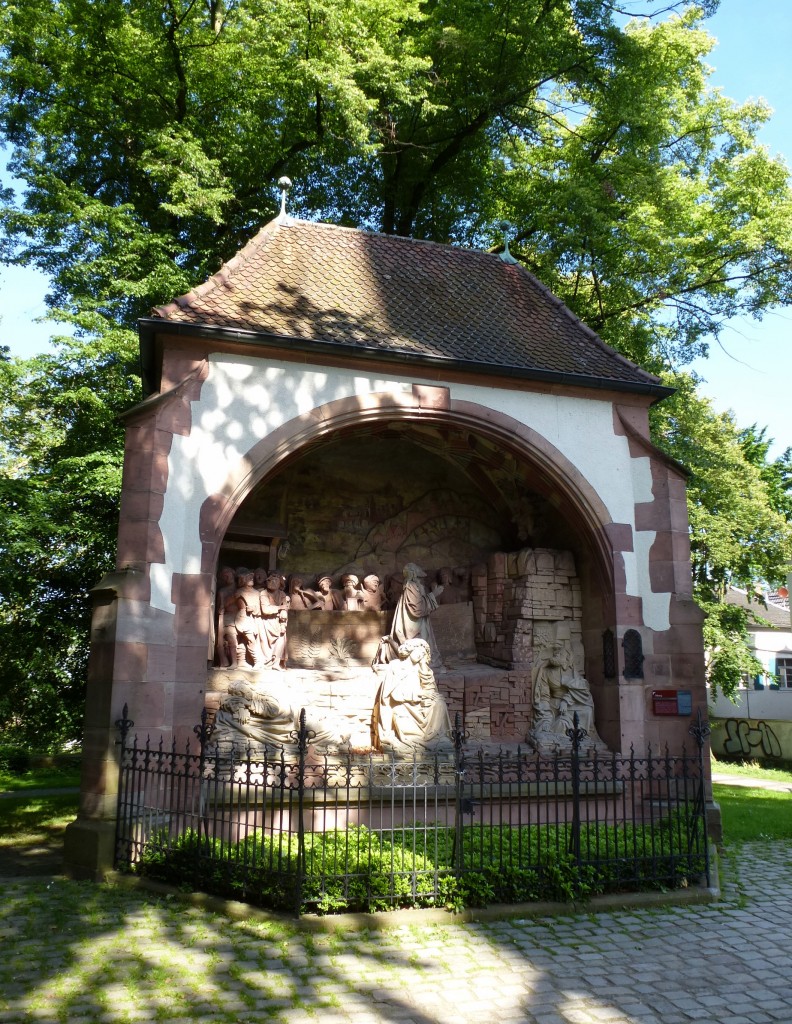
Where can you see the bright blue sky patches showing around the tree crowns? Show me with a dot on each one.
(751, 370)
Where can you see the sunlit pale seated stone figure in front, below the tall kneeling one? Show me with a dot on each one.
(410, 715)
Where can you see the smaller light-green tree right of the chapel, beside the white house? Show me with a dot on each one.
(740, 507)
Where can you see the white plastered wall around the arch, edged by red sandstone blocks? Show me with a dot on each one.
(244, 400)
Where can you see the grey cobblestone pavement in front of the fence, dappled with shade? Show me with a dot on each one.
(78, 953)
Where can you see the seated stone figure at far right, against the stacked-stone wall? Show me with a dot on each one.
(560, 692)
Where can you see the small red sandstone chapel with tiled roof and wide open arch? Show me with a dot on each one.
(336, 405)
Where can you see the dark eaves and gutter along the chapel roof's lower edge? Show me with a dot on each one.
(150, 326)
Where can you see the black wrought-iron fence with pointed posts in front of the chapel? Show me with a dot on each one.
(303, 832)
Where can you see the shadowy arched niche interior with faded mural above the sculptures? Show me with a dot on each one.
(445, 490)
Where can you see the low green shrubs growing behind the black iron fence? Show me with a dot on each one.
(358, 870)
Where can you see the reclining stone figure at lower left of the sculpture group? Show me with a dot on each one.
(258, 717)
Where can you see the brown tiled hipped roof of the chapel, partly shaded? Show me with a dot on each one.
(317, 282)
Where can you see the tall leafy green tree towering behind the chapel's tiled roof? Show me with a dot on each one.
(148, 138)
